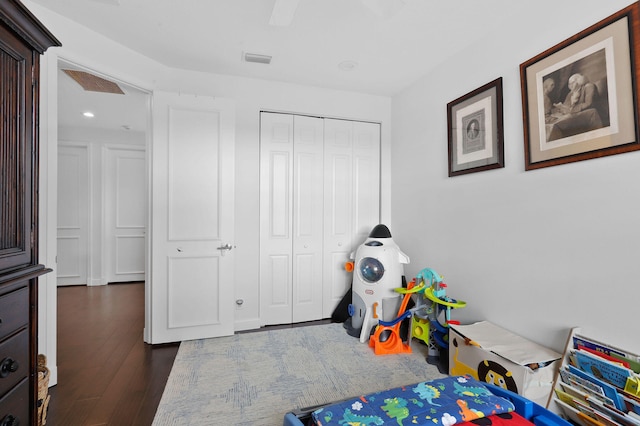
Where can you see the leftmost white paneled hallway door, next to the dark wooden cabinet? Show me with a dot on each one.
(73, 215)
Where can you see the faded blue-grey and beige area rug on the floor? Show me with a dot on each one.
(255, 378)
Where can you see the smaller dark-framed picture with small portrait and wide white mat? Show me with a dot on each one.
(475, 130)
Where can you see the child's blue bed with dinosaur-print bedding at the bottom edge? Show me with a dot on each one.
(442, 402)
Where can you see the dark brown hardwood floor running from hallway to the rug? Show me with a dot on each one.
(107, 375)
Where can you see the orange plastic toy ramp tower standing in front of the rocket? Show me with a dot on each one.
(386, 338)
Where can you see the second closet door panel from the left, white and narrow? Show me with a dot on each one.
(307, 218)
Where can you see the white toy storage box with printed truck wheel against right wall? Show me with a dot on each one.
(494, 355)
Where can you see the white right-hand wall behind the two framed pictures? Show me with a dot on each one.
(535, 252)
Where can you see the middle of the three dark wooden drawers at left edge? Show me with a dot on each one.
(14, 354)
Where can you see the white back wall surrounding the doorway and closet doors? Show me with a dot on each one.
(86, 48)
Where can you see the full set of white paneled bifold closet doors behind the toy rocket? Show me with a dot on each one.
(319, 186)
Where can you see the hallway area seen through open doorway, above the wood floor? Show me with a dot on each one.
(102, 178)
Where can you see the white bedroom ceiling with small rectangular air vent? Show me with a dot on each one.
(392, 43)
